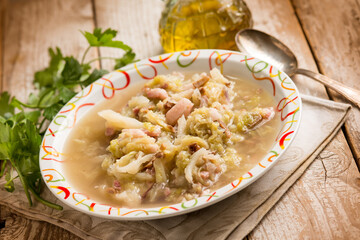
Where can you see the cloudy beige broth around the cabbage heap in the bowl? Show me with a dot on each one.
(86, 145)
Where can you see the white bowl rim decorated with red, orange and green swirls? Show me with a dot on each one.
(288, 110)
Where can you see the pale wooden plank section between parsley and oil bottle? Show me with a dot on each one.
(137, 22)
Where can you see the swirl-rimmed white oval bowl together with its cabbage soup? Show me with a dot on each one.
(170, 134)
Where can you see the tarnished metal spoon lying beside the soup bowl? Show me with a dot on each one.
(268, 48)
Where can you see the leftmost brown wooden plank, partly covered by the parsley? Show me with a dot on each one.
(29, 28)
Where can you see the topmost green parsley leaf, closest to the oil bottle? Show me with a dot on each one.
(104, 39)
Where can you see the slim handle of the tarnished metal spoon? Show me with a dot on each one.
(351, 94)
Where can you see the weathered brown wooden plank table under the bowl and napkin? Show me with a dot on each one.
(325, 35)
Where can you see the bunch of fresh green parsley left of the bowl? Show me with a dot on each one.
(22, 125)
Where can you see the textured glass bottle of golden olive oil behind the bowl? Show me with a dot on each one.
(202, 24)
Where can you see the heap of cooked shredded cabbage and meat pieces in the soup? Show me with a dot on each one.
(166, 153)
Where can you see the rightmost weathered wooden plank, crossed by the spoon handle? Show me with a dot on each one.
(335, 40)
